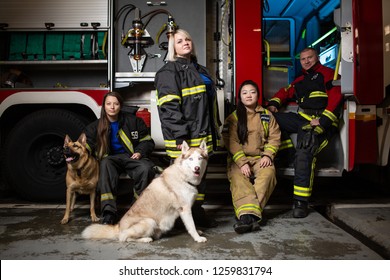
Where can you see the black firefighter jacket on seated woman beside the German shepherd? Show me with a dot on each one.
(133, 135)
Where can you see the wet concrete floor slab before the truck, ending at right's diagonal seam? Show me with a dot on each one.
(34, 232)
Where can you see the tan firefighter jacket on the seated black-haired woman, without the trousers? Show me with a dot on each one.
(263, 136)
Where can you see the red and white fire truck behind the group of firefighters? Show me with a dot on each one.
(58, 58)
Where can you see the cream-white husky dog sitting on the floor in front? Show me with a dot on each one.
(168, 196)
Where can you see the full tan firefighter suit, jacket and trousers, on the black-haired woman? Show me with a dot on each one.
(263, 140)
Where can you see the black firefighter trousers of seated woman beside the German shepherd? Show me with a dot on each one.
(111, 167)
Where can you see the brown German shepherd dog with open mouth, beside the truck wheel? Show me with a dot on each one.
(82, 175)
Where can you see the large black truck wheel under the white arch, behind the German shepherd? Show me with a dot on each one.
(33, 161)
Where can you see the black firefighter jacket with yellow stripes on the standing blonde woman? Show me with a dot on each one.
(188, 110)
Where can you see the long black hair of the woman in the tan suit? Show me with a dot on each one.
(242, 126)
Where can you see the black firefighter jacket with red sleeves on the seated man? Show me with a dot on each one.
(313, 90)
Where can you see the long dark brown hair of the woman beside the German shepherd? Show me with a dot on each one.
(102, 141)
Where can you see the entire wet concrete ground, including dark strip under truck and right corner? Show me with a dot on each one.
(347, 221)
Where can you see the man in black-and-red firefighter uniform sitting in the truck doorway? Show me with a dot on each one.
(315, 122)
